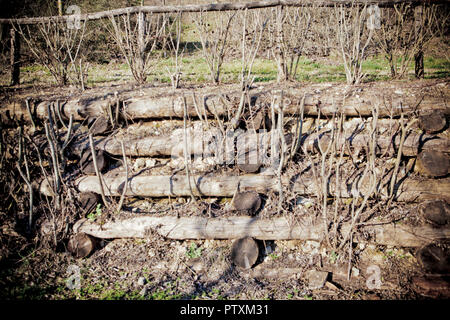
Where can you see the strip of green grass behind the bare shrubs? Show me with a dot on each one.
(195, 70)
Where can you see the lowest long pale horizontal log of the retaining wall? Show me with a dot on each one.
(238, 227)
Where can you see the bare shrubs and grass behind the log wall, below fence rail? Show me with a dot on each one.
(302, 43)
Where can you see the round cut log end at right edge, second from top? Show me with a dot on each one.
(432, 163)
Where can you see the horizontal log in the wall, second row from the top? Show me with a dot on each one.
(200, 142)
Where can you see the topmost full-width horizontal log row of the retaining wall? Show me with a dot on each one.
(392, 99)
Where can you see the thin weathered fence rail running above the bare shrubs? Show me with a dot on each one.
(213, 7)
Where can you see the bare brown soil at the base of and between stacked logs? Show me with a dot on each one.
(35, 264)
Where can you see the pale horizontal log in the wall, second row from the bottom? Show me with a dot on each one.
(409, 190)
